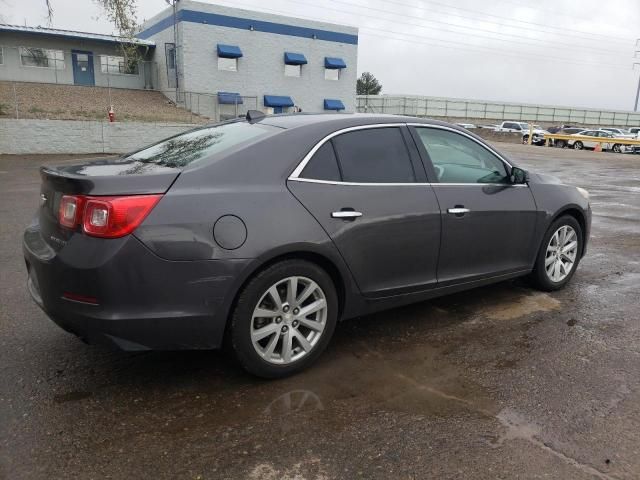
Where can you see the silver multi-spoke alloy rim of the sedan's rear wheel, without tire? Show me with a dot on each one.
(288, 320)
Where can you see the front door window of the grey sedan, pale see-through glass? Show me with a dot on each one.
(458, 159)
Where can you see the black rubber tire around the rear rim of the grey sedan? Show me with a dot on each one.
(240, 327)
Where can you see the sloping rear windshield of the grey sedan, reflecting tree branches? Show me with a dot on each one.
(194, 145)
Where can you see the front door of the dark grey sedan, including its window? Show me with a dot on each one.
(488, 224)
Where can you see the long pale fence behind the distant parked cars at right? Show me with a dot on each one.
(492, 112)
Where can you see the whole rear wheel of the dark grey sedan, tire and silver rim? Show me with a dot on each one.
(284, 319)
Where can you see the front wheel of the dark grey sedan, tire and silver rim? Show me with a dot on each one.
(559, 254)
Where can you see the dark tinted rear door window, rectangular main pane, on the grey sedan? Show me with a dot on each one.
(375, 155)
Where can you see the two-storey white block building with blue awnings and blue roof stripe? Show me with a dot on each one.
(268, 62)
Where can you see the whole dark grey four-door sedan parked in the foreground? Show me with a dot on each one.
(269, 230)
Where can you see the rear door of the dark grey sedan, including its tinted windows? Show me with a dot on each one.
(367, 188)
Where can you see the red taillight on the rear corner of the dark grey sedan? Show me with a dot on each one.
(107, 217)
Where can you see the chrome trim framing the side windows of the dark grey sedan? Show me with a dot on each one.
(295, 175)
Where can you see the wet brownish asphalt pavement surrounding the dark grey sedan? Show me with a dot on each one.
(499, 382)
